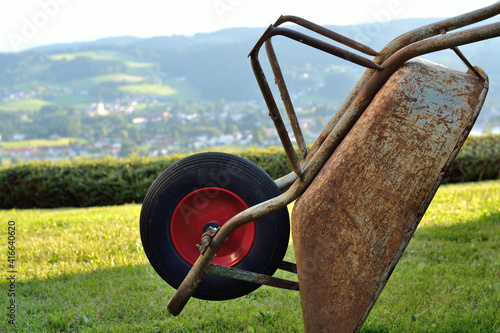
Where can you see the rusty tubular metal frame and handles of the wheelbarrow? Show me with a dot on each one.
(423, 40)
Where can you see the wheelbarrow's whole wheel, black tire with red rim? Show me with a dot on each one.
(205, 190)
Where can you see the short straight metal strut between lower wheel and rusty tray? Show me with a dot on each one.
(253, 277)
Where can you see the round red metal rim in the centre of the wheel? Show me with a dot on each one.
(210, 204)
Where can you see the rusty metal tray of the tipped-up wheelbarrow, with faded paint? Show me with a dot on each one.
(361, 208)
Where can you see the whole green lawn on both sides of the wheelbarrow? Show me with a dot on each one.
(84, 270)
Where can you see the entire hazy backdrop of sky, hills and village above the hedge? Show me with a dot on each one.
(152, 78)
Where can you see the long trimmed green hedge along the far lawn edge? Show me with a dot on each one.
(111, 181)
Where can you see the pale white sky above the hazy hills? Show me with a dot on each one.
(28, 23)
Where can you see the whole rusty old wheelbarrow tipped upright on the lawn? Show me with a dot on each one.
(216, 227)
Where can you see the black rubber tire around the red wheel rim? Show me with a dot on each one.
(230, 172)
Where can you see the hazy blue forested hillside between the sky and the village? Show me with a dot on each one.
(208, 66)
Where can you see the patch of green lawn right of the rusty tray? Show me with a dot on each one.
(449, 277)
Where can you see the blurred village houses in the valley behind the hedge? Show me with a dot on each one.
(260, 132)
